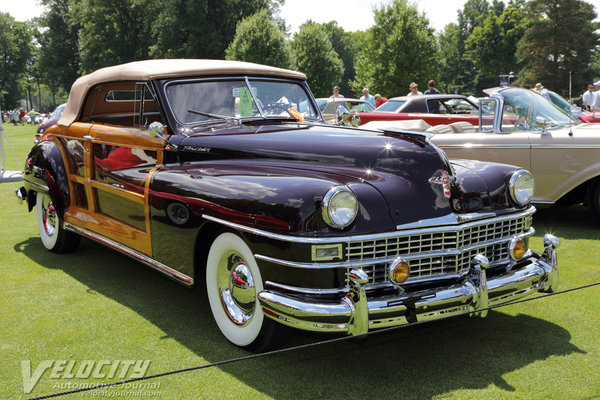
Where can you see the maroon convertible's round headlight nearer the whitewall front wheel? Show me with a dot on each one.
(340, 207)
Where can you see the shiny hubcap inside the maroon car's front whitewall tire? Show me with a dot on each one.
(236, 288)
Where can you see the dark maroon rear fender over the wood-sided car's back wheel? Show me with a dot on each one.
(45, 171)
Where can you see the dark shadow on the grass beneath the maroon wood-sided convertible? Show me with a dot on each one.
(417, 362)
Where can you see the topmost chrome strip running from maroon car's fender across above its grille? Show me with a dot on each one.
(351, 238)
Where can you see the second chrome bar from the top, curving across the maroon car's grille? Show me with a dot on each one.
(384, 260)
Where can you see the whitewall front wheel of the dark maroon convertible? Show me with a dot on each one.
(233, 281)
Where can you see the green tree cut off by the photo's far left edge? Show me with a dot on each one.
(15, 52)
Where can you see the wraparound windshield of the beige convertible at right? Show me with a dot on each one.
(523, 110)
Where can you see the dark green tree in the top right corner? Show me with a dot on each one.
(560, 38)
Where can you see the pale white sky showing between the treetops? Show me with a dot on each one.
(351, 15)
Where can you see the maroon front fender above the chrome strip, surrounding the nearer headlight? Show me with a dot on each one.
(276, 200)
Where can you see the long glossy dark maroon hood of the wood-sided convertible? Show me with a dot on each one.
(406, 170)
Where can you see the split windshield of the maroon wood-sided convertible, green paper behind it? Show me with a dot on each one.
(223, 99)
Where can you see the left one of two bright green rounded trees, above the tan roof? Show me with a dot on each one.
(259, 39)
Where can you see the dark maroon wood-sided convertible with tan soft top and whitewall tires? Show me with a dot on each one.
(225, 174)
